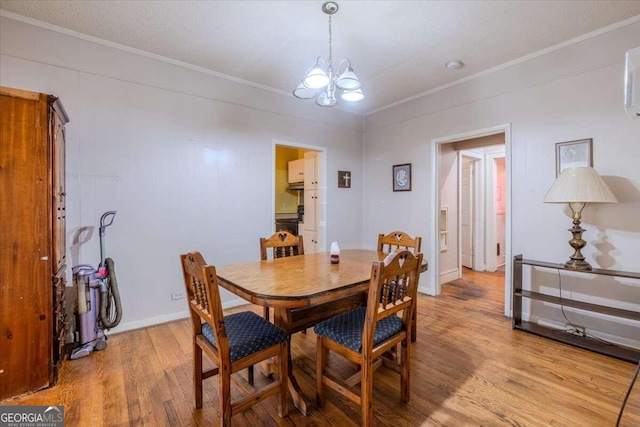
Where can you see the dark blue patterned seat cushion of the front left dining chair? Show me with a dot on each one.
(248, 333)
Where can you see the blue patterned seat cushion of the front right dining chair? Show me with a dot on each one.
(346, 328)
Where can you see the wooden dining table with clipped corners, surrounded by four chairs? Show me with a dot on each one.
(303, 290)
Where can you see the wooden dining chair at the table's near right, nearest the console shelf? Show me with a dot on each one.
(364, 334)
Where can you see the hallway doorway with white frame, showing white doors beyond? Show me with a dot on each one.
(484, 236)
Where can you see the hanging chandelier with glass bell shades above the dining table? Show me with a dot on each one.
(320, 81)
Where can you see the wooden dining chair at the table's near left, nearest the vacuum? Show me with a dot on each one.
(233, 342)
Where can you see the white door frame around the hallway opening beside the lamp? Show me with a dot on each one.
(433, 283)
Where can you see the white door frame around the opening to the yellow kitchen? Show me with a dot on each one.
(321, 204)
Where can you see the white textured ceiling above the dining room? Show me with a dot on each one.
(397, 48)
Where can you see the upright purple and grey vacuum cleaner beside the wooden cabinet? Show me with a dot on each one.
(98, 307)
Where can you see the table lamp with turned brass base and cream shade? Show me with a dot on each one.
(577, 187)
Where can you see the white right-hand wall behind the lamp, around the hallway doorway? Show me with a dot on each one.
(571, 93)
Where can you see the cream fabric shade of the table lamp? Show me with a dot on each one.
(579, 185)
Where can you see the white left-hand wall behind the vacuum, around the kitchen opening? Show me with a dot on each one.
(185, 157)
